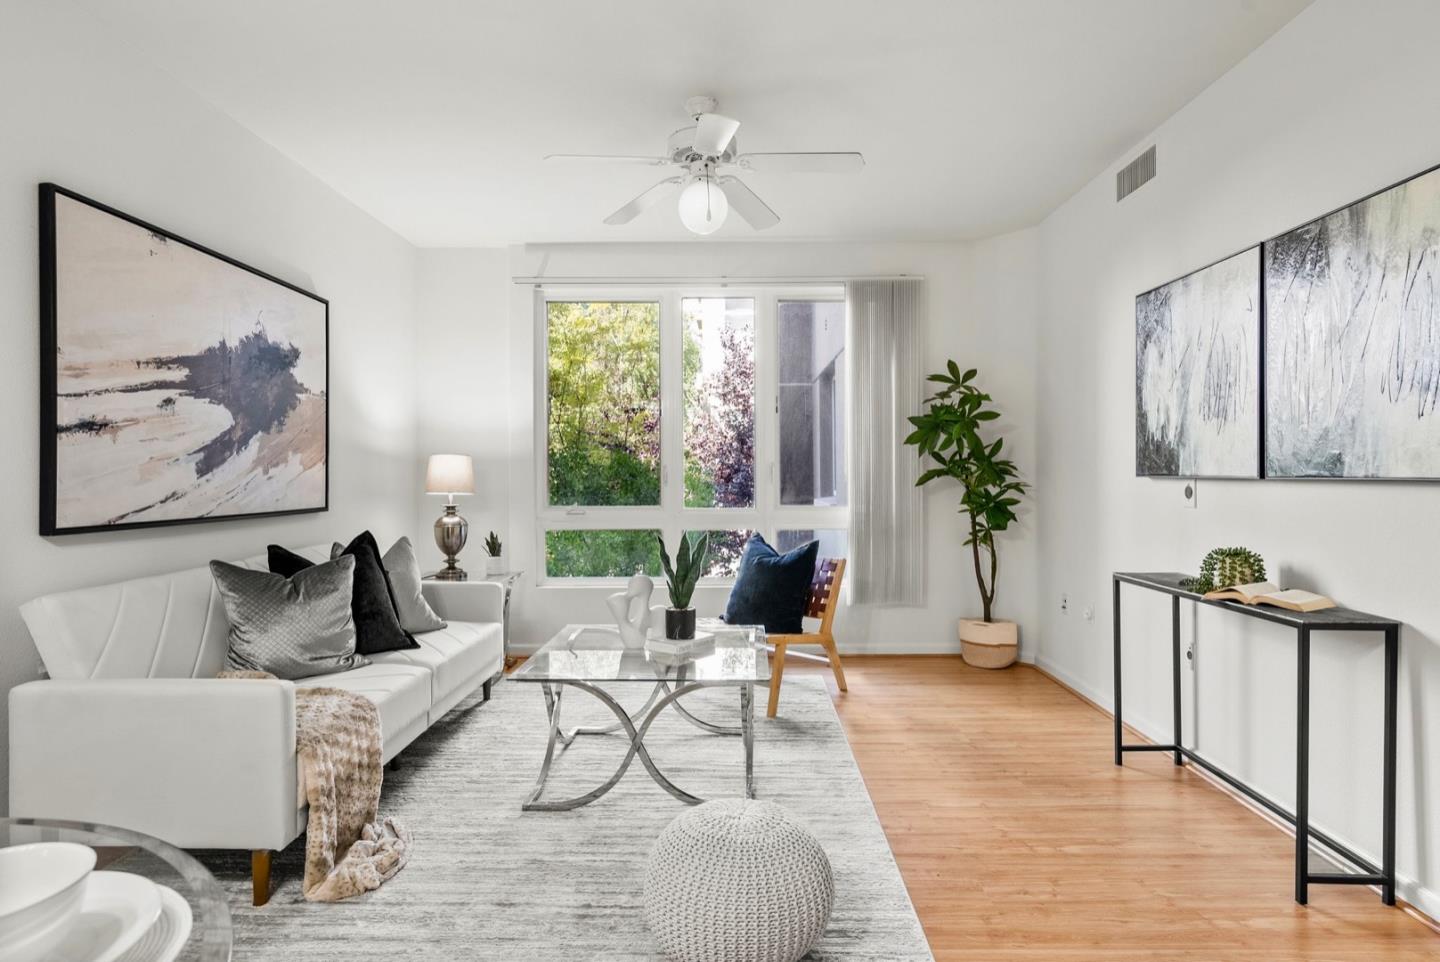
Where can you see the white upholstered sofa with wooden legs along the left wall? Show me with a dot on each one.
(133, 729)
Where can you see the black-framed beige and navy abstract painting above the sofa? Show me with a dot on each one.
(176, 385)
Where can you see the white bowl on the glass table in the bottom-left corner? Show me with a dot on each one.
(41, 891)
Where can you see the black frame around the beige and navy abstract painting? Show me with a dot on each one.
(50, 368)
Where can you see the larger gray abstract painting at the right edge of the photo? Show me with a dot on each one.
(1353, 341)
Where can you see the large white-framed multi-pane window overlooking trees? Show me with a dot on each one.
(670, 411)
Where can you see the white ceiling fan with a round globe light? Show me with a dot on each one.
(705, 153)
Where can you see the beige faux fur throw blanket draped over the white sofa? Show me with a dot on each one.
(349, 850)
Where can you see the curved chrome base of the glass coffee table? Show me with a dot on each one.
(636, 727)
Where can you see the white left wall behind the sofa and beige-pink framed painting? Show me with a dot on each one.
(89, 114)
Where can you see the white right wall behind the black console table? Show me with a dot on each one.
(1337, 104)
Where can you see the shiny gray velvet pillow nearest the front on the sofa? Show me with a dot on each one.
(290, 627)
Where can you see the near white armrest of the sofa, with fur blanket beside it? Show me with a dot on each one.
(197, 763)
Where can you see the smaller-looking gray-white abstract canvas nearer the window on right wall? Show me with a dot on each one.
(1197, 374)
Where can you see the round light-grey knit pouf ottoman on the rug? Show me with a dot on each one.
(738, 881)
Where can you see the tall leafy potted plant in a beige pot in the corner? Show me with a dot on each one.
(948, 434)
